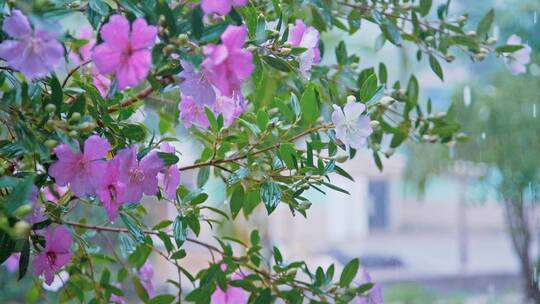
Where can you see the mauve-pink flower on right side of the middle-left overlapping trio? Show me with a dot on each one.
(139, 176)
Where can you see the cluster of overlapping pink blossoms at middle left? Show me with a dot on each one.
(120, 180)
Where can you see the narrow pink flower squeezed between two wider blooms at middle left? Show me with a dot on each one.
(110, 190)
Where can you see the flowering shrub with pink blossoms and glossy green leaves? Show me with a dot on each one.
(275, 111)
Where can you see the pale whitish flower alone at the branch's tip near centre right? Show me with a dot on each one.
(352, 128)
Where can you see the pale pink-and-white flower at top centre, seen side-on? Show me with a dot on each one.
(309, 38)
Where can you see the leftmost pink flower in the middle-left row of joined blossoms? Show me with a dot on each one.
(75, 168)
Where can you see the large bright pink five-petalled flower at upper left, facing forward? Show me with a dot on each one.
(125, 52)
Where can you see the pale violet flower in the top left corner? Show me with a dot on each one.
(34, 53)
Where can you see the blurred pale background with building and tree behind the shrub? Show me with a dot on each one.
(446, 224)
